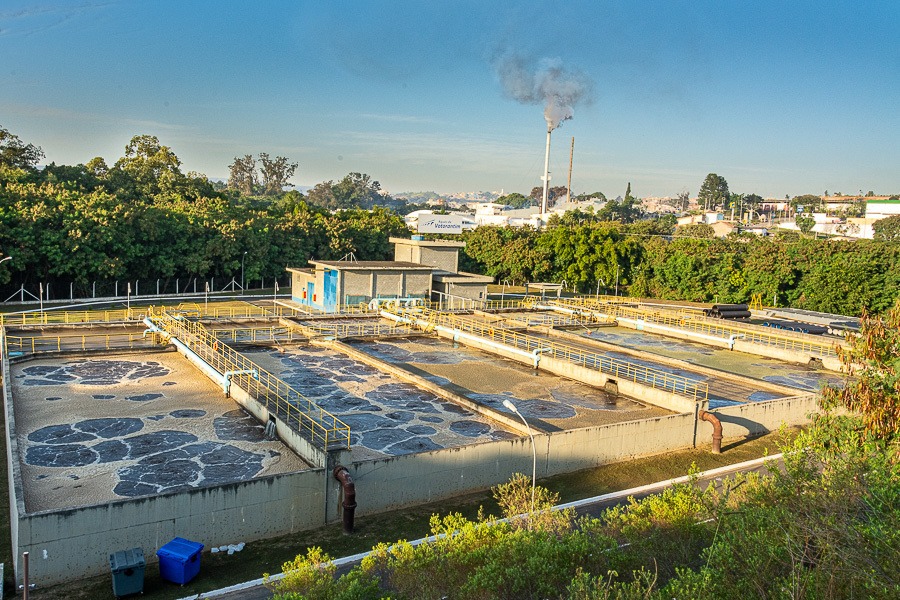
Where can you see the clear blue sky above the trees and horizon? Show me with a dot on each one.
(786, 97)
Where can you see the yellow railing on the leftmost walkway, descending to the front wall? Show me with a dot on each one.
(293, 408)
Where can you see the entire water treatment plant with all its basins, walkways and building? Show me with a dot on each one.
(238, 422)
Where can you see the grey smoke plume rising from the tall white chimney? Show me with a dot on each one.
(547, 83)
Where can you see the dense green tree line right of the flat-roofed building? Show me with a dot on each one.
(651, 259)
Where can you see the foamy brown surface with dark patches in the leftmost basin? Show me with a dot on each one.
(102, 428)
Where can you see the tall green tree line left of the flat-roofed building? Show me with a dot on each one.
(143, 218)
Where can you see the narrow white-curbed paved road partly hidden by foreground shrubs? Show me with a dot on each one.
(254, 590)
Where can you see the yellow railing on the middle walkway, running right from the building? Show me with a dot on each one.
(649, 376)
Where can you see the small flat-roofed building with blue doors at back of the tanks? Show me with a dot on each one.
(422, 269)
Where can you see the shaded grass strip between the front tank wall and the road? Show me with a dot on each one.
(220, 570)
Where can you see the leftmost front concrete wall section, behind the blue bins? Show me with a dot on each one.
(77, 542)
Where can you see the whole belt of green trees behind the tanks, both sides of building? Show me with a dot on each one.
(143, 218)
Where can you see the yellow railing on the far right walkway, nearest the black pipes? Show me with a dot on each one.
(715, 327)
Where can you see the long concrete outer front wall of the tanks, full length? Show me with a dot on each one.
(78, 541)
